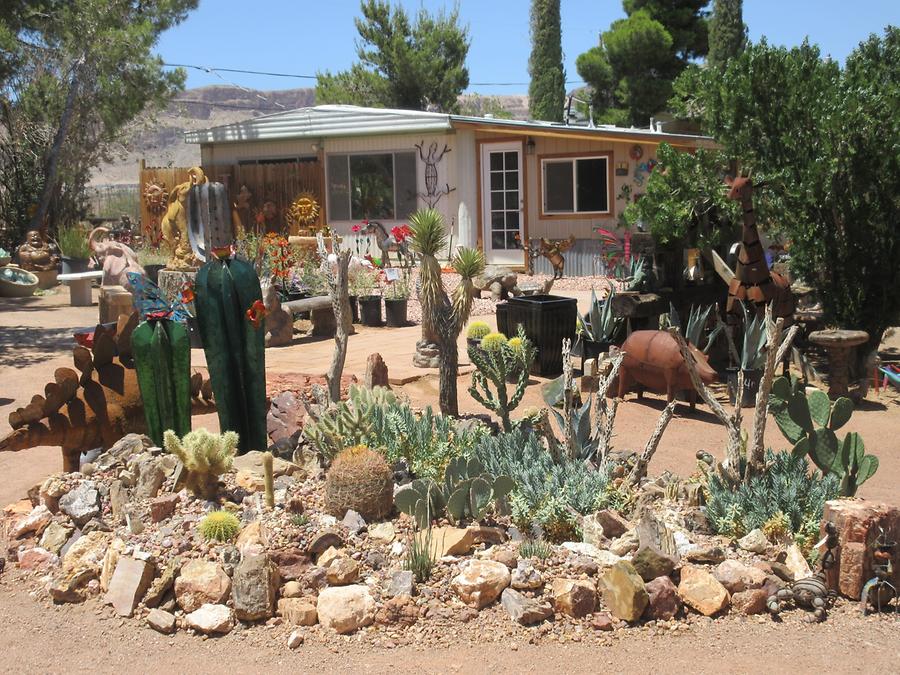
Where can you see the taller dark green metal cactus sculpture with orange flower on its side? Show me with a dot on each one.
(230, 313)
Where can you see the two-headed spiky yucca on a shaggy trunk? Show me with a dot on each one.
(443, 316)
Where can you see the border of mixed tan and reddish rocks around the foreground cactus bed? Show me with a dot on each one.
(123, 532)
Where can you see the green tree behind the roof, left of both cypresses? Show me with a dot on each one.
(415, 66)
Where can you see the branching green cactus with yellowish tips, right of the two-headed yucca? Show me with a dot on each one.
(496, 362)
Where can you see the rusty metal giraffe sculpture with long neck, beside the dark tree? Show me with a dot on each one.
(753, 280)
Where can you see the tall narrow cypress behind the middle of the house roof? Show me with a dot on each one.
(547, 91)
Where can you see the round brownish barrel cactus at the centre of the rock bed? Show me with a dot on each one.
(360, 479)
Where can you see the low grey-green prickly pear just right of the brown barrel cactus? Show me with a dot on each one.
(467, 493)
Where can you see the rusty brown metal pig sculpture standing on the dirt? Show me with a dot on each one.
(654, 362)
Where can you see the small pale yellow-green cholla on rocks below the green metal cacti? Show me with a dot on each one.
(205, 456)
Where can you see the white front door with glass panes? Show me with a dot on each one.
(502, 203)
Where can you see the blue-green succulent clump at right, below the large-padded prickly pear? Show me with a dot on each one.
(786, 492)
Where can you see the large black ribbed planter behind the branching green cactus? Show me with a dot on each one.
(547, 320)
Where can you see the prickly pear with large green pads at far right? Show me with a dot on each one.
(797, 414)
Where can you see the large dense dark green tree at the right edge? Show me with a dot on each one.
(826, 143)
